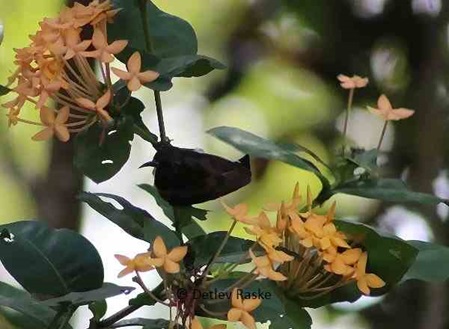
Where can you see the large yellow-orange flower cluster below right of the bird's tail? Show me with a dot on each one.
(305, 249)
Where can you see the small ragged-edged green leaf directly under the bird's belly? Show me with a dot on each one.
(184, 216)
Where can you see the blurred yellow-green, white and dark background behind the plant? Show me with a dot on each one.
(283, 58)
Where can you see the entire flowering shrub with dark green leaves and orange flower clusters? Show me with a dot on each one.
(304, 260)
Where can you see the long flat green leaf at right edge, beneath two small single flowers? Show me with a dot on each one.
(386, 189)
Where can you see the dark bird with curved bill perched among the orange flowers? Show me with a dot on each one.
(185, 176)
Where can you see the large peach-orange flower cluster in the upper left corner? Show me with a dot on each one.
(55, 67)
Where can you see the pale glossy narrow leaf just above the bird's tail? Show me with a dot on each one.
(256, 146)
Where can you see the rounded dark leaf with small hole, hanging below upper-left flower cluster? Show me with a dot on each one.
(100, 153)
